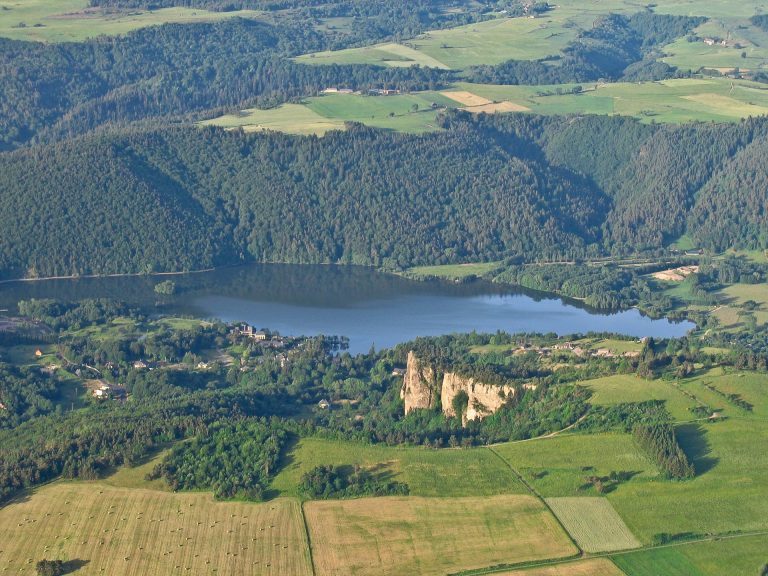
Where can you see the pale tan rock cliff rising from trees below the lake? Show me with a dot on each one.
(422, 385)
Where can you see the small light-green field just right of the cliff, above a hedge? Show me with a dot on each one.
(620, 388)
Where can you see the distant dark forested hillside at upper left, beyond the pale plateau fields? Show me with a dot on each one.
(52, 92)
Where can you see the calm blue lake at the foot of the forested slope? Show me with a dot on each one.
(369, 307)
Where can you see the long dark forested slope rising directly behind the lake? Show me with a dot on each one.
(485, 188)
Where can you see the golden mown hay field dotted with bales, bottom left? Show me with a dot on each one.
(134, 532)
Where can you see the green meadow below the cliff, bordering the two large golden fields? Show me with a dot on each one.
(459, 472)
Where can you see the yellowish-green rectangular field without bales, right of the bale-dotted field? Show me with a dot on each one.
(411, 535)
